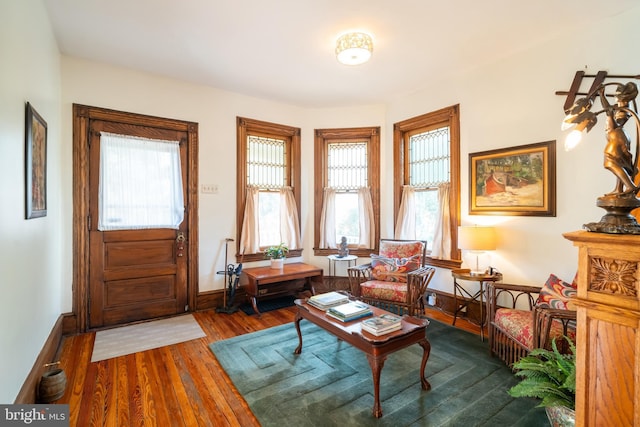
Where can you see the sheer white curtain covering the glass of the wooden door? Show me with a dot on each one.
(140, 183)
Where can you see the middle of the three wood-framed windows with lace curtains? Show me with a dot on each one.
(346, 184)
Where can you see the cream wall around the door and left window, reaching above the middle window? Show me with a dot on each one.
(91, 83)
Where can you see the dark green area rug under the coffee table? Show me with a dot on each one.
(330, 383)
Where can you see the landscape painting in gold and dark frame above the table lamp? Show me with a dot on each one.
(514, 181)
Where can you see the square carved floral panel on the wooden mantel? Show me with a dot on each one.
(613, 276)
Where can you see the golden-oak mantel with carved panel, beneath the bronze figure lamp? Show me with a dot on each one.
(608, 333)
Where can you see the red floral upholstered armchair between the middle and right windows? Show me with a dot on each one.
(396, 277)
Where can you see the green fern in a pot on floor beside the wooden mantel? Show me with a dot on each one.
(551, 376)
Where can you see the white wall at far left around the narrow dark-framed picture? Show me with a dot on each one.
(31, 257)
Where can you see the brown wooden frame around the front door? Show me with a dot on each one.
(82, 116)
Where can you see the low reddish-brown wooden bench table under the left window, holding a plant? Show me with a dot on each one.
(267, 282)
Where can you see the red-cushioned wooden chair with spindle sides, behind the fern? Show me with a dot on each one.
(514, 332)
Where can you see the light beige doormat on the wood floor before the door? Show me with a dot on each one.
(145, 336)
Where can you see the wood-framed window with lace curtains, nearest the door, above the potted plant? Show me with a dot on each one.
(268, 187)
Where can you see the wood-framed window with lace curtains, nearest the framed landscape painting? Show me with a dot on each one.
(427, 183)
